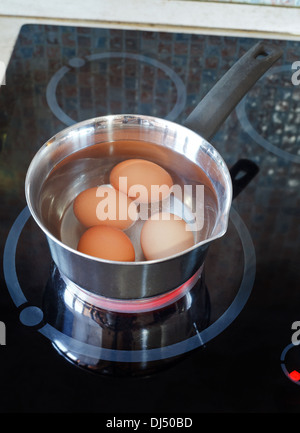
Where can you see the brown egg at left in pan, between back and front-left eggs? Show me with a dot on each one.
(104, 205)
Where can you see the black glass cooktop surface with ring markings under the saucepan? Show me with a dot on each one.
(245, 359)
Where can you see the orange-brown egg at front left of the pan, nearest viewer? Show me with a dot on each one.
(106, 243)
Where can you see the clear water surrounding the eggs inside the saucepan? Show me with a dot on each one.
(91, 167)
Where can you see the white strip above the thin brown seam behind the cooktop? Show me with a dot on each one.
(196, 14)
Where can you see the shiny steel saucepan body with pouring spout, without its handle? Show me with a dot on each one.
(83, 155)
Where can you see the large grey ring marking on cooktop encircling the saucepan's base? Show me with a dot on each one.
(85, 349)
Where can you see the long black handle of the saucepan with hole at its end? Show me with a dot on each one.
(221, 100)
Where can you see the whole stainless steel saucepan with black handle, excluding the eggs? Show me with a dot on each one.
(70, 155)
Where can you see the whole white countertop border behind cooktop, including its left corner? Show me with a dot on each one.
(200, 17)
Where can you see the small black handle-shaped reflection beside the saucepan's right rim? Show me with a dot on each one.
(242, 172)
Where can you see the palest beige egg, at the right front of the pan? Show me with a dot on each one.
(163, 235)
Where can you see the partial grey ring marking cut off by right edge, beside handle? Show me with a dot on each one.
(247, 126)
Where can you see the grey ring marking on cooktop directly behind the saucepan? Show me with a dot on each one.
(77, 63)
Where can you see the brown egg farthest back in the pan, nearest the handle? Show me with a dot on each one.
(140, 176)
